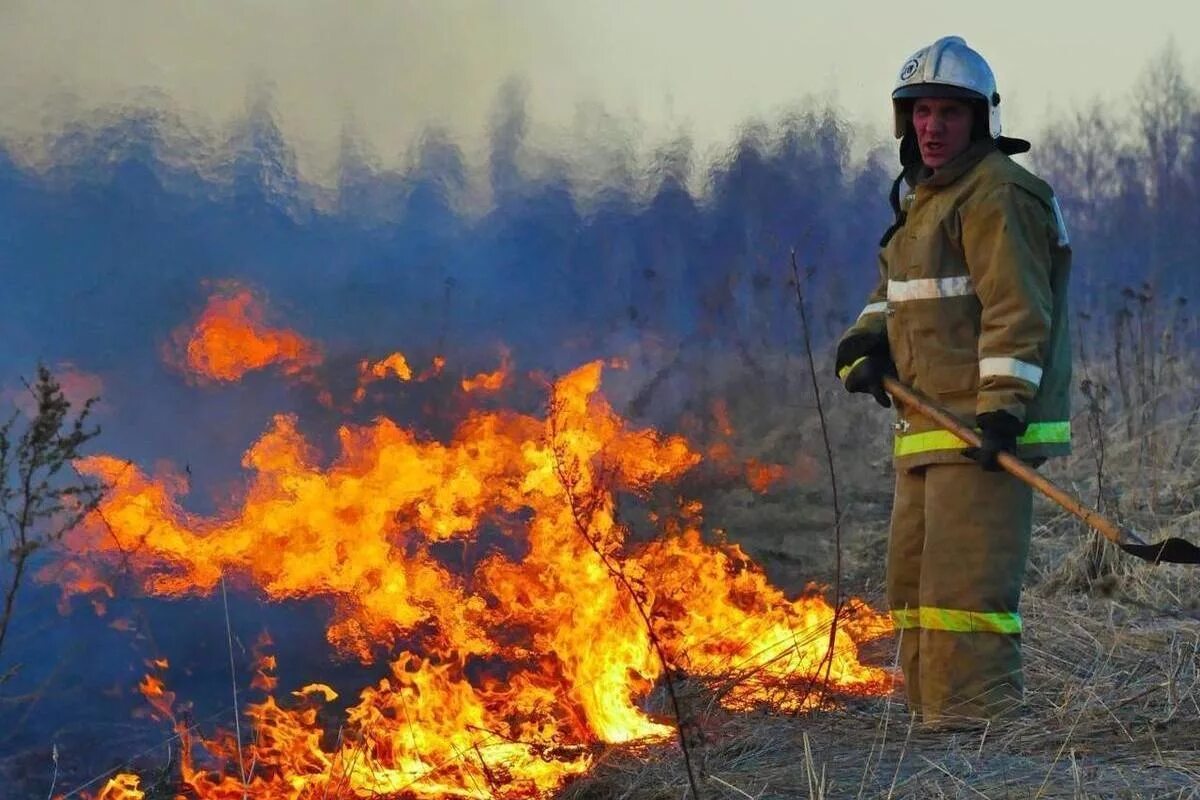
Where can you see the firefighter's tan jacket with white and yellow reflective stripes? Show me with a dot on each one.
(973, 306)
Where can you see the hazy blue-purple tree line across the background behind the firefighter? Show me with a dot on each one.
(119, 233)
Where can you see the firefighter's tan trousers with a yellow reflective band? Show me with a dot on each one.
(957, 555)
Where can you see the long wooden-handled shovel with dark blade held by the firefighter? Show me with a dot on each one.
(1169, 551)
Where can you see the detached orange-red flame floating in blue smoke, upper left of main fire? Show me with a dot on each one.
(231, 339)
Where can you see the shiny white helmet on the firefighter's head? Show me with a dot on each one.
(946, 69)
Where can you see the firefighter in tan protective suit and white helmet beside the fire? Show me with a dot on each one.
(971, 311)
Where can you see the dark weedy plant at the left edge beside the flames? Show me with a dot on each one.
(41, 497)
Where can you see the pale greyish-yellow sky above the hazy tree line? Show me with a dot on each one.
(662, 68)
